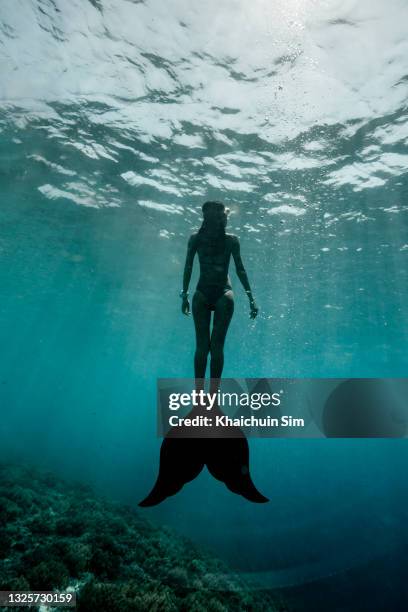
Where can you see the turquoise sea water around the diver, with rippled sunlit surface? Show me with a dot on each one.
(118, 119)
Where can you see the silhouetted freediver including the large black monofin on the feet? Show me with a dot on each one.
(227, 458)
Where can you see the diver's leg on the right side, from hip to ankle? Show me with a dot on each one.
(224, 309)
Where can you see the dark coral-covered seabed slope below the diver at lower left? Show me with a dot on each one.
(55, 535)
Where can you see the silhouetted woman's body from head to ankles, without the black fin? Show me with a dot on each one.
(213, 293)
